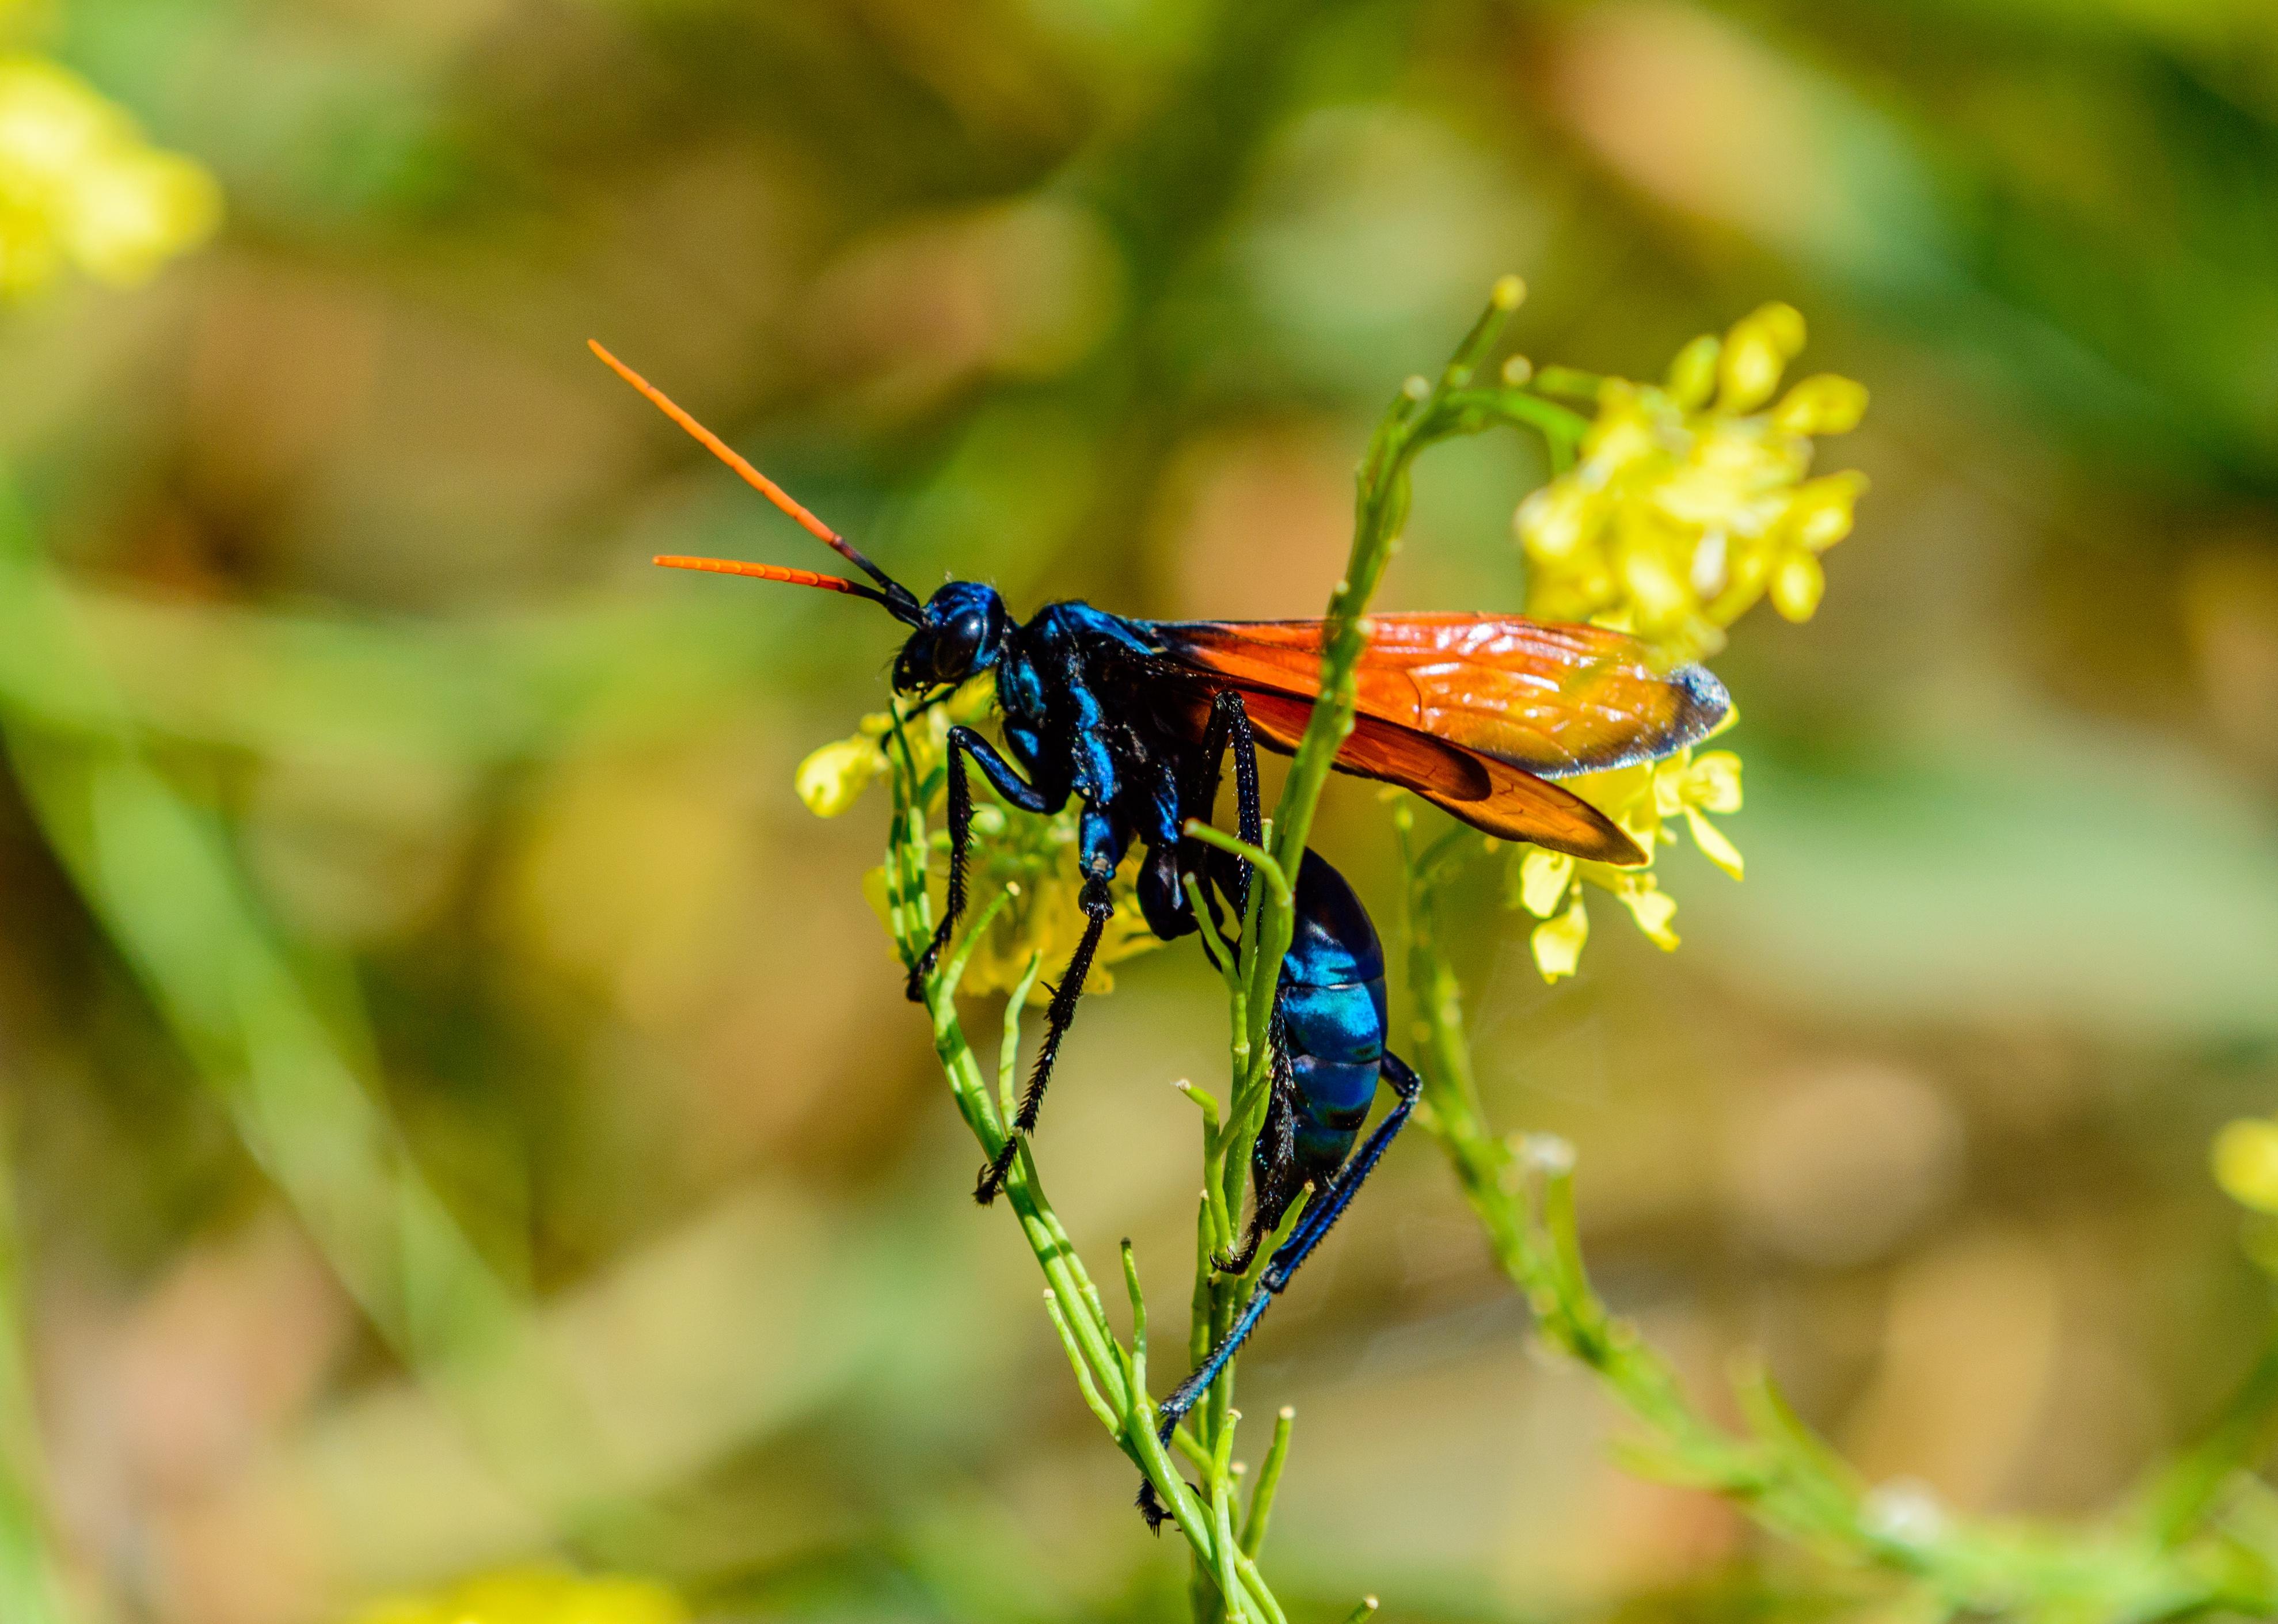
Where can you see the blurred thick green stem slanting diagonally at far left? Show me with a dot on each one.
(286, 1060)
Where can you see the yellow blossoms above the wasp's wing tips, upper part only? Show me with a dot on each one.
(1689, 500)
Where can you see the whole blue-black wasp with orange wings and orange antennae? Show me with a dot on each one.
(1133, 719)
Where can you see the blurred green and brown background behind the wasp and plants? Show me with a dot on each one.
(459, 1101)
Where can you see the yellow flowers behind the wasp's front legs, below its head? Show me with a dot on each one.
(1031, 862)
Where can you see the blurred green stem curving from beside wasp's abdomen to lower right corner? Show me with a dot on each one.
(2168, 1566)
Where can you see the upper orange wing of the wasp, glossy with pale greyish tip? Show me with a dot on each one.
(1546, 698)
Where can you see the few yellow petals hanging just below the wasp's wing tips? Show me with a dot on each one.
(1646, 801)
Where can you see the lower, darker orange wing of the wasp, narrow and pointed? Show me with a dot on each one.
(1484, 792)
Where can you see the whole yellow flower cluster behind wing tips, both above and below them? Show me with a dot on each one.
(1687, 507)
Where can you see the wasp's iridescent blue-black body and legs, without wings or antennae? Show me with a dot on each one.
(1095, 710)
